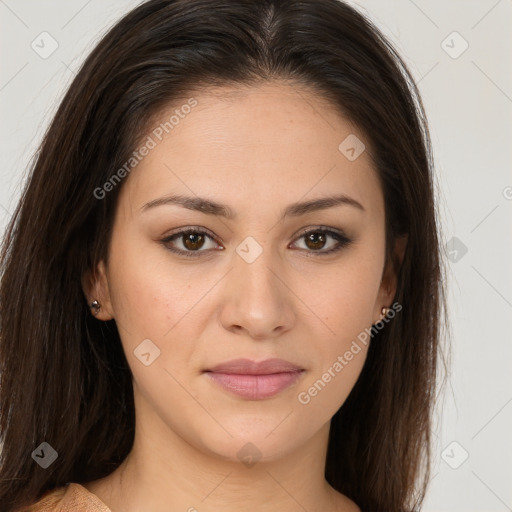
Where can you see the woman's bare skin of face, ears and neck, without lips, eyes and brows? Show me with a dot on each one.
(256, 150)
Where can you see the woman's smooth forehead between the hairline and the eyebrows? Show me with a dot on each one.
(267, 144)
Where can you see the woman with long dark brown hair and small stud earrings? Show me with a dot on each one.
(221, 286)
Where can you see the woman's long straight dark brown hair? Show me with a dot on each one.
(64, 378)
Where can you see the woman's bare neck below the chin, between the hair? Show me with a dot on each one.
(165, 472)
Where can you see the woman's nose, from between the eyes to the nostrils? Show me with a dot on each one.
(258, 302)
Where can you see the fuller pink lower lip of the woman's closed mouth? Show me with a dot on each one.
(255, 387)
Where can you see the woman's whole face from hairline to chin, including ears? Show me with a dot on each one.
(256, 278)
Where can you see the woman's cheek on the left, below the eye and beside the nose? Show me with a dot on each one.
(154, 299)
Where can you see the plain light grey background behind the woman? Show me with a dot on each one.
(469, 103)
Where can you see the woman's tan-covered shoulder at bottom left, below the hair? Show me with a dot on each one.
(71, 497)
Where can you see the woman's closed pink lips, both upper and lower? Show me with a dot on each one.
(253, 380)
